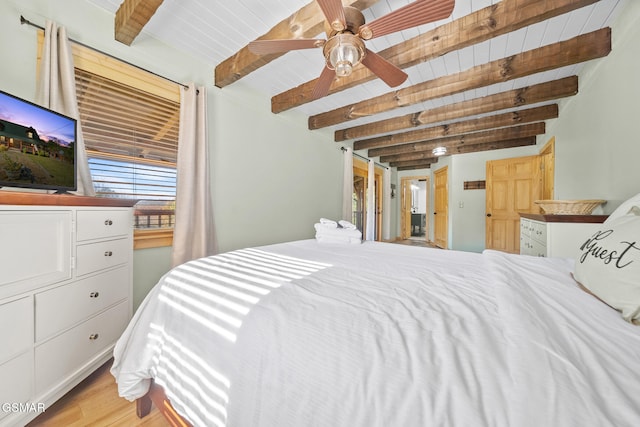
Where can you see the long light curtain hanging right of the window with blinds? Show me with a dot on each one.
(193, 232)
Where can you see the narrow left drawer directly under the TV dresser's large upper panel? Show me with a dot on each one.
(16, 327)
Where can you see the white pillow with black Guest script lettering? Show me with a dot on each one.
(608, 264)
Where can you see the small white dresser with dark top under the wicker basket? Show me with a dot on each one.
(556, 235)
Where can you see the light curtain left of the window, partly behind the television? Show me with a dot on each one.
(57, 90)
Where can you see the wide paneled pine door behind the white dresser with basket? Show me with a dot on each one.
(512, 185)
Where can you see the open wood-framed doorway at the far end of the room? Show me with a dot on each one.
(414, 204)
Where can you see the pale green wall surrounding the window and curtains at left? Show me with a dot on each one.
(272, 178)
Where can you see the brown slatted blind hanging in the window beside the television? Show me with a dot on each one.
(131, 136)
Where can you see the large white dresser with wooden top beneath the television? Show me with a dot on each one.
(65, 294)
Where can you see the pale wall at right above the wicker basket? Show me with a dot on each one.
(597, 133)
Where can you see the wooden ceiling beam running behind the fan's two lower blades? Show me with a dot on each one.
(479, 26)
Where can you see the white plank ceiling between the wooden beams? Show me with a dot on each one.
(215, 30)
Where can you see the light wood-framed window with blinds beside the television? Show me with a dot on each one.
(130, 122)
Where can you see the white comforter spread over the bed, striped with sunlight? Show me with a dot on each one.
(304, 334)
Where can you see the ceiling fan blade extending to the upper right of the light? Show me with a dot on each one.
(417, 13)
